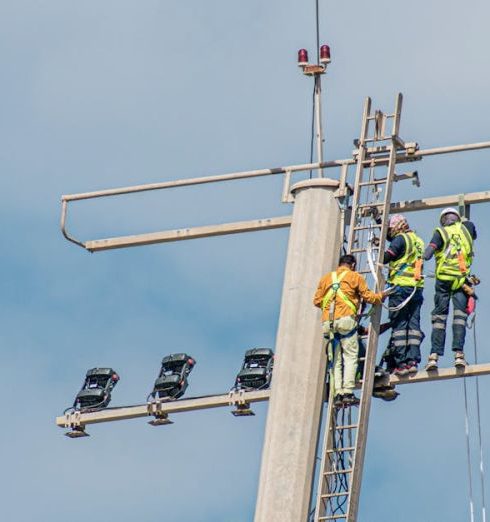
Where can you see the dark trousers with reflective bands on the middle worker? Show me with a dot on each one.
(406, 335)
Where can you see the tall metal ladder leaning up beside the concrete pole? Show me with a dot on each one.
(346, 430)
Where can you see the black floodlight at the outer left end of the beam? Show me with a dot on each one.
(96, 390)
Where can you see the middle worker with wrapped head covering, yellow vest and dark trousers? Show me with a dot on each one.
(404, 258)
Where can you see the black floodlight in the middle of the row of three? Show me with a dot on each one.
(172, 382)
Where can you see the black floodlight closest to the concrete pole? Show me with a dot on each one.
(256, 372)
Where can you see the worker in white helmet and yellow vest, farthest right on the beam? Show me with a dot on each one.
(452, 244)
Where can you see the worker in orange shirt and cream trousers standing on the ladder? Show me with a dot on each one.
(339, 295)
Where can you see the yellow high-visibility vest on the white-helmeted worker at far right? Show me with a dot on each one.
(453, 260)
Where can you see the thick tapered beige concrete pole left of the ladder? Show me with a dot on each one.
(295, 406)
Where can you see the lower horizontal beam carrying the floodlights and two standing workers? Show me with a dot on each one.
(77, 419)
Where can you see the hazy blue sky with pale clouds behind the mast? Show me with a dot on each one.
(103, 94)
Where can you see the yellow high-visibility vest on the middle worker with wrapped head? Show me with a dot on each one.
(406, 271)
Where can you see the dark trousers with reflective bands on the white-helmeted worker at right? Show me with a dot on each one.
(443, 295)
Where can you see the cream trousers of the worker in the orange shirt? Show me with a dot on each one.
(345, 353)
